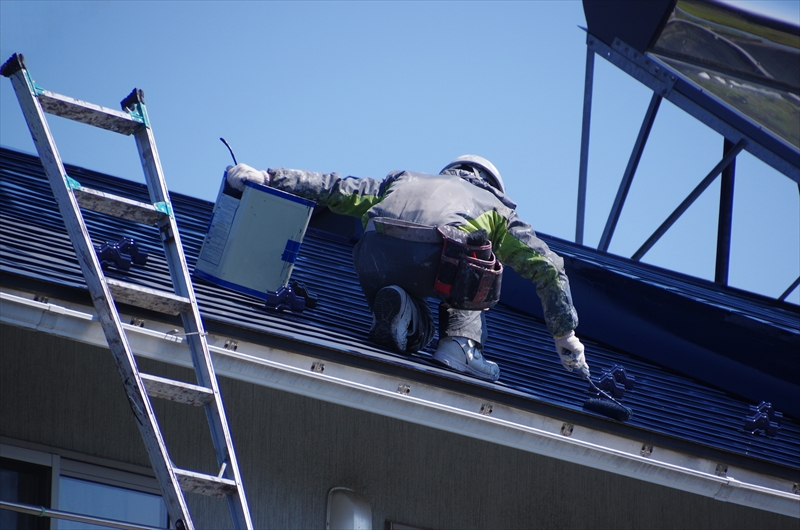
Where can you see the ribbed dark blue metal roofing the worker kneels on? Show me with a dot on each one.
(34, 245)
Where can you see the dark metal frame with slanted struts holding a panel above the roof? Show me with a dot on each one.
(736, 72)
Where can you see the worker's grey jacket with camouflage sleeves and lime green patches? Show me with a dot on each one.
(455, 198)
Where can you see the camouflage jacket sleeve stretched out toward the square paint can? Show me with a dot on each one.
(347, 196)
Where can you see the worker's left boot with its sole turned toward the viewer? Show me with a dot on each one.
(393, 315)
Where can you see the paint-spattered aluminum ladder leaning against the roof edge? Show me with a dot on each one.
(71, 197)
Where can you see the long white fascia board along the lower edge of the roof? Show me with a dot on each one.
(421, 404)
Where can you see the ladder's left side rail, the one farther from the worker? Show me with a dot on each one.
(101, 297)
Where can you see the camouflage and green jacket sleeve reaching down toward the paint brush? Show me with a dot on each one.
(519, 248)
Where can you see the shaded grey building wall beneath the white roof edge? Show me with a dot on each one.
(293, 450)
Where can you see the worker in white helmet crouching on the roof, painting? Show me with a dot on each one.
(444, 236)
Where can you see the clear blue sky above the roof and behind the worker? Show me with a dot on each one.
(364, 88)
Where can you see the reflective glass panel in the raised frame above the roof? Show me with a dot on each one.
(748, 61)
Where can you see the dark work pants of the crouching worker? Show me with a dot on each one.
(381, 261)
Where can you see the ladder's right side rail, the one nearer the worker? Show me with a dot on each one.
(193, 324)
